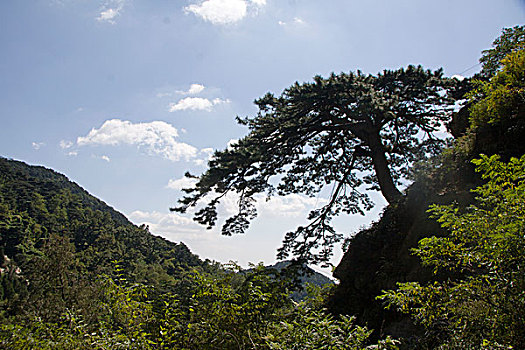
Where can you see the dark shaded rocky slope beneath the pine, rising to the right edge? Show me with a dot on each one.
(380, 256)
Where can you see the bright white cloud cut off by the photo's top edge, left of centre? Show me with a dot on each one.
(224, 11)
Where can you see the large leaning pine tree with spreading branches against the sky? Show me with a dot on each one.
(350, 132)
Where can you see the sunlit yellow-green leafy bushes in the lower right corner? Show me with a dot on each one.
(482, 304)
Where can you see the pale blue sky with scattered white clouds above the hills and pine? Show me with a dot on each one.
(124, 96)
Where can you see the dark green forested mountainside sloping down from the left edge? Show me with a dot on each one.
(36, 203)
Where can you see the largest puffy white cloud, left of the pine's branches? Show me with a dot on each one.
(156, 137)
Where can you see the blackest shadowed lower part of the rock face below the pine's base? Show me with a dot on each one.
(379, 257)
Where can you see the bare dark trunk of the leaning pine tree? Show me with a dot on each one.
(384, 177)
